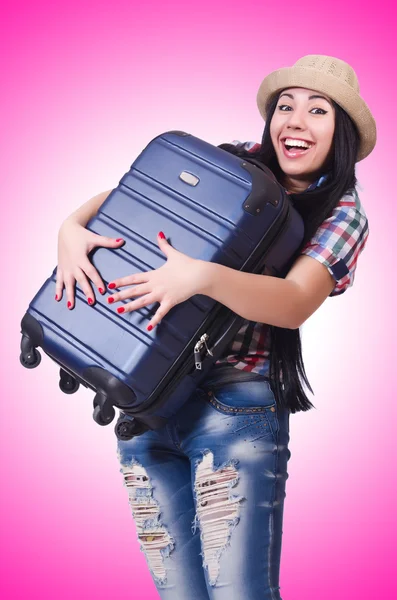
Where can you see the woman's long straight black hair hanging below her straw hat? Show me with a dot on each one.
(314, 206)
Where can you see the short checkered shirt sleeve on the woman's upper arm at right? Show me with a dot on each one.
(339, 241)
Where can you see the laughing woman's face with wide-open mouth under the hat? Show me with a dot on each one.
(302, 114)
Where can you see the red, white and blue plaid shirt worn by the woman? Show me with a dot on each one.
(336, 244)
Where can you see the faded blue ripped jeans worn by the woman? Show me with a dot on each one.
(207, 494)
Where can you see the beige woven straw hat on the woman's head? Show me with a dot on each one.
(335, 78)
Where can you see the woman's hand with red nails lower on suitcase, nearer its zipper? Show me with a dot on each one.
(176, 281)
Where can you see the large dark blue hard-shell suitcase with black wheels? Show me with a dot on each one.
(214, 206)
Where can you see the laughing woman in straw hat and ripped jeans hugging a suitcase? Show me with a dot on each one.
(207, 490)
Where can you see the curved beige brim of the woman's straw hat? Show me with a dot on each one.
(340, 92)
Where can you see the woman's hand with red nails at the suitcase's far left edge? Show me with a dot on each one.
(75, 242)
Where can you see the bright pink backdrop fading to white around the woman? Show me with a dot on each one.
(85, 86)
